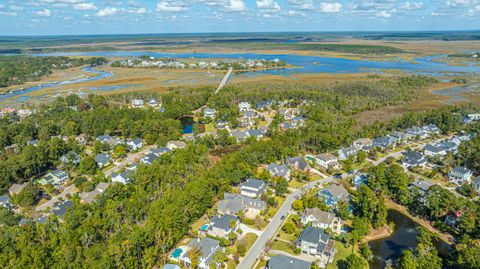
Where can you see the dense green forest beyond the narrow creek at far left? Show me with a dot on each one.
(16, 70)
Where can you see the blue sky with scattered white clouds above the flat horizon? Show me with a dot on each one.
(50, 17)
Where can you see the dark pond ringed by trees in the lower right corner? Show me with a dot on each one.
(404, 237)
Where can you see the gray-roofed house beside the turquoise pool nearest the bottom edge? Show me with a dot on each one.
(207, 248)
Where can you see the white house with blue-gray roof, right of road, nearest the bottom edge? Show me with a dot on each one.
(315, 242)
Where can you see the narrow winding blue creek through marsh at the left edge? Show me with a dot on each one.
(99, 75)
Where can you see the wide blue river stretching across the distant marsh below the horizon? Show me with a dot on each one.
(305, 64)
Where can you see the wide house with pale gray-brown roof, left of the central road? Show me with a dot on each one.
(234, 203)
